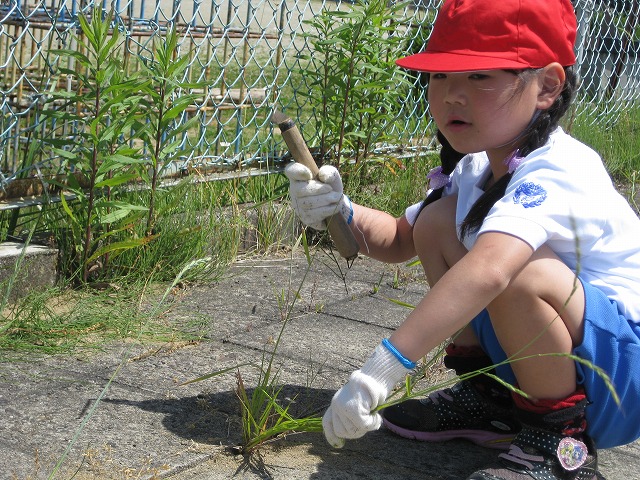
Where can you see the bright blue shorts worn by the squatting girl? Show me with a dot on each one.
(610, 342)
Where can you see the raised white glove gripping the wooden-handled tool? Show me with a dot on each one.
(315, 200)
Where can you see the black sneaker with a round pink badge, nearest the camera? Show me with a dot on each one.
(538, 454)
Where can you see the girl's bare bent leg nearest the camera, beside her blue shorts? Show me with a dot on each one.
(540, 313)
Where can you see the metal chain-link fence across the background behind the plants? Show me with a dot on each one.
(250, 54)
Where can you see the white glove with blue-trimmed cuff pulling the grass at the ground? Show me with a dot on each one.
(349, 415)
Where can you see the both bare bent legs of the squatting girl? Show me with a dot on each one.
(544, 300)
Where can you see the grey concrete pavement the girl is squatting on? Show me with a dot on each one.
(121, 413)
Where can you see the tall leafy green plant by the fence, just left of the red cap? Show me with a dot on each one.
(356, 84)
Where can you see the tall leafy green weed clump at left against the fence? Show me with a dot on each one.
(127, 128)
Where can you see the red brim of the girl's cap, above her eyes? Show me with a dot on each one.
(455, 62)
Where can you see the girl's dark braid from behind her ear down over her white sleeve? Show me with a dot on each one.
(535, 136)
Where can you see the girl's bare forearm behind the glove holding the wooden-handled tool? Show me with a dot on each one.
(382, 236)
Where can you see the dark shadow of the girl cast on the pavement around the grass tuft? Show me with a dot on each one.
(214, 419)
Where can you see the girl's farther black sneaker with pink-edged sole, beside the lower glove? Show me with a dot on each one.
(456, 412)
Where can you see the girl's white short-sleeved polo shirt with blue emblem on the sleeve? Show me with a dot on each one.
(562, 196)
